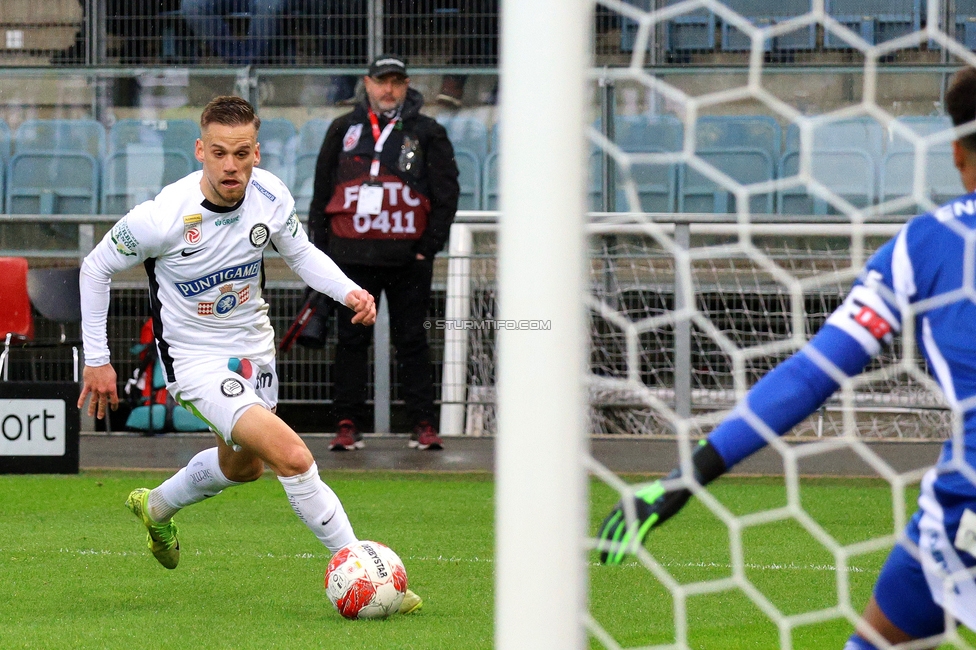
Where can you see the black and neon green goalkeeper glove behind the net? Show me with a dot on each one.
(653, 505)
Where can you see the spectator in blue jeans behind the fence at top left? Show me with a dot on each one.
(208, 21)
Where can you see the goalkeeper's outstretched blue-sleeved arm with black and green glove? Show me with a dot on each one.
(783, 398)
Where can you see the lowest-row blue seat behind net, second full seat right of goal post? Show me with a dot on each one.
(698, 193)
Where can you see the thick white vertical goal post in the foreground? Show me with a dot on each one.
(540, 487)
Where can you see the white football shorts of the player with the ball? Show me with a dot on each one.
(219, 391)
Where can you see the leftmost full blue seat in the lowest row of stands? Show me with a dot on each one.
(52, 182)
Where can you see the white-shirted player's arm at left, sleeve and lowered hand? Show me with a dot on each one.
(131, 240)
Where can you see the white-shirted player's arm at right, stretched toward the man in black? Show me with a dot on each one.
(319, 271)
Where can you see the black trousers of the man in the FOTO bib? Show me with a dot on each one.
(408, 296)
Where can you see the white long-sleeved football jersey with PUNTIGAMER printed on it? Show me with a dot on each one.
(205, 267)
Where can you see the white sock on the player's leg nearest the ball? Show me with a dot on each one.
(317, 505)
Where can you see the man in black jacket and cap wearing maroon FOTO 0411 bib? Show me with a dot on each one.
(386, 190)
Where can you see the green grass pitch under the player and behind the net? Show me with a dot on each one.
(75, 572)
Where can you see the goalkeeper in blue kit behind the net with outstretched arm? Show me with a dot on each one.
(926, 273)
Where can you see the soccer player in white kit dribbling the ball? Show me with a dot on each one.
(202, 241)
